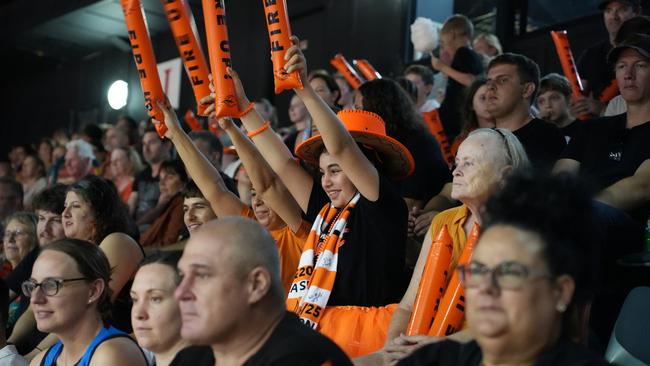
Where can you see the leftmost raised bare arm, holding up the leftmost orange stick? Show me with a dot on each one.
(204, 174)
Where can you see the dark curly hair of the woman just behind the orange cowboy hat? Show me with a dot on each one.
(391, 102)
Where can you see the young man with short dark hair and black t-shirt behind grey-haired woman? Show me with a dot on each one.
(513, 81)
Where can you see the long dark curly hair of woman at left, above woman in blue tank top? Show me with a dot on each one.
(111, 213)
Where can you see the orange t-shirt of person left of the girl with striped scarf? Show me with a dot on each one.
(290, 246)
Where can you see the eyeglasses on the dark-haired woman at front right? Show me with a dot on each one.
(506, 275)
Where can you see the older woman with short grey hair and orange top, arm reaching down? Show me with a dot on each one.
(487, 156)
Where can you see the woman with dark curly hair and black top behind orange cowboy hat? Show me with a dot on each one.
(391, 102)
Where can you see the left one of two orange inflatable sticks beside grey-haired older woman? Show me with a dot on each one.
(432, 284)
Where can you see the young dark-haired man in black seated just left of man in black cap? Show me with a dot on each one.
(553, 102)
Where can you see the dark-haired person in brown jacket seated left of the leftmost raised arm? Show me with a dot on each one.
(167, 226)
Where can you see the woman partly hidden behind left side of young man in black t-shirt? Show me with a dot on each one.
(474, 112)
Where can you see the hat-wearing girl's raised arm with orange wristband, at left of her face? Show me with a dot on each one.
(272, 148)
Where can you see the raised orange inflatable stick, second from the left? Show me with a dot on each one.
(178, 16)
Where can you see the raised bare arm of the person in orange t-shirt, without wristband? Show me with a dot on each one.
(265, 181)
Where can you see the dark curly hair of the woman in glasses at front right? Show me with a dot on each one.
(559, 209)
